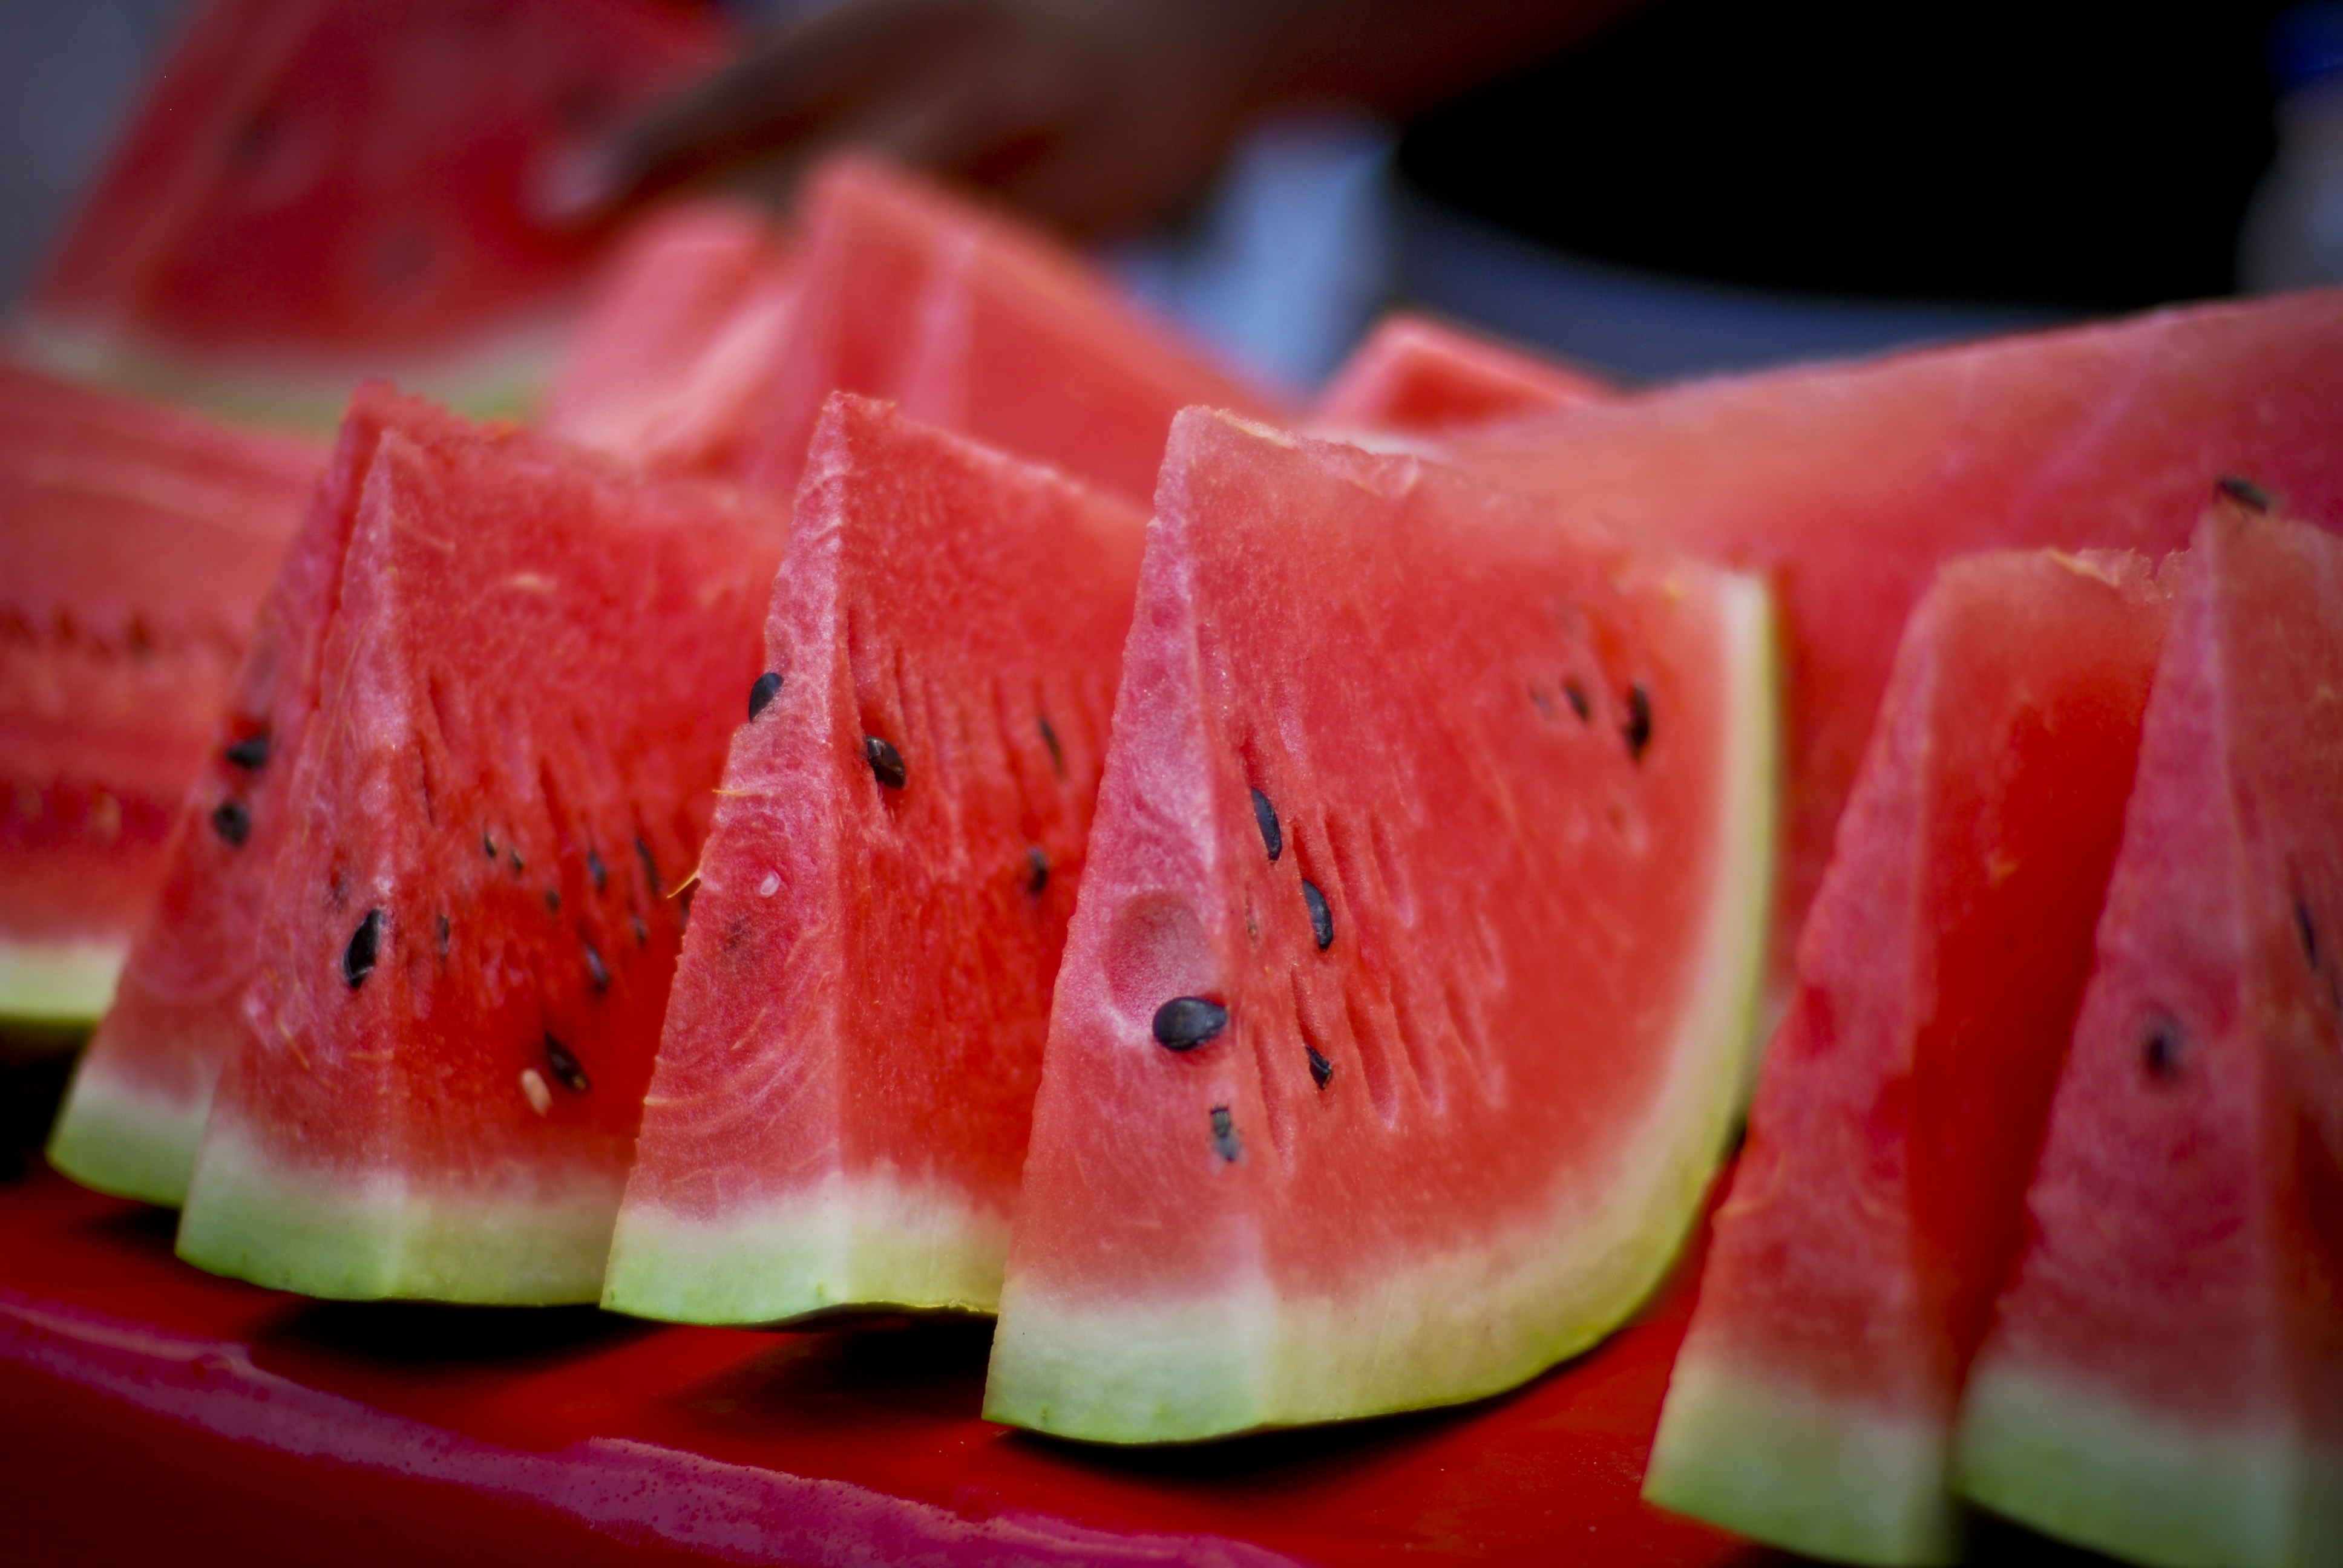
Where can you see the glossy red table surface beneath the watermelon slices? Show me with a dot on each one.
(153, 1414)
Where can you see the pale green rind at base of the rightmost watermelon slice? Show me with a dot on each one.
(2131, 1482)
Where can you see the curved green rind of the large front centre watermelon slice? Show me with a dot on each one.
(1461, 1325)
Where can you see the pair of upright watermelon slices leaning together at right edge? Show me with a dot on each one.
(2164, 1370)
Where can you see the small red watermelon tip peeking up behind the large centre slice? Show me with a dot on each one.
(1430, 379)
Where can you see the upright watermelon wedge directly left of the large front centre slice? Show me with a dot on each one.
(847, 1075)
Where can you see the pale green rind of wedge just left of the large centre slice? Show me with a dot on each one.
(868, 1243)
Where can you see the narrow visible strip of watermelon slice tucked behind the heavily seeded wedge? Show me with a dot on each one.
(142, 1091)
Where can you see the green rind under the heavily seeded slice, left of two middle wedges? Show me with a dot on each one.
(540, 1241)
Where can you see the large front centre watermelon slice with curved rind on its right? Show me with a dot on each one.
(1405, 1011)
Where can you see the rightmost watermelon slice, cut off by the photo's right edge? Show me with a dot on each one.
(2166, 1372)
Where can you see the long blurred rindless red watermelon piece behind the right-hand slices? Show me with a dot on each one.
(1852, 484)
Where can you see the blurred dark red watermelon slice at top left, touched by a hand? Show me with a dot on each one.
(320, 191)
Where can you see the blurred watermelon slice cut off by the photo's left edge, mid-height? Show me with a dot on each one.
(135, 550)
